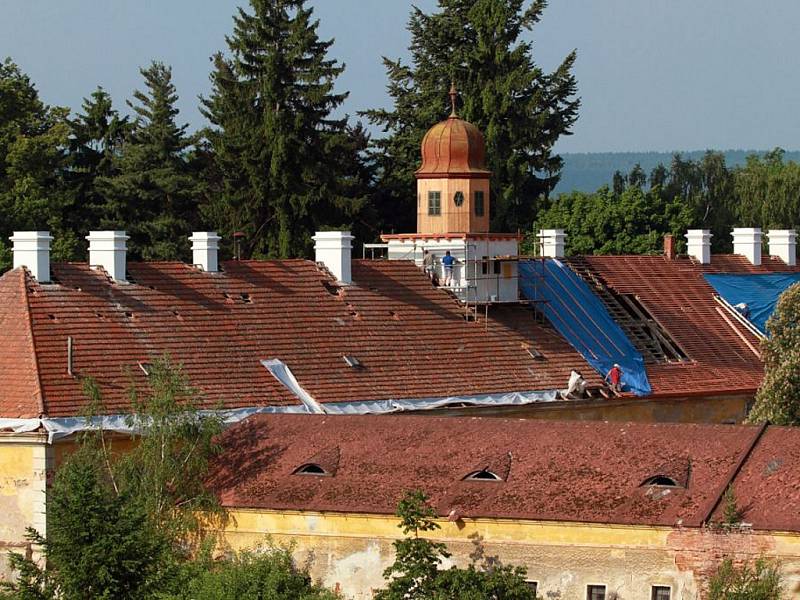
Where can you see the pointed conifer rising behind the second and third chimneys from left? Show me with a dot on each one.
(152, 193)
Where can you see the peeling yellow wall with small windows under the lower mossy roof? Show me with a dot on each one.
(349, 552)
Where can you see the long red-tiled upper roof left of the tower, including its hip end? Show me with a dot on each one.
(411, 338)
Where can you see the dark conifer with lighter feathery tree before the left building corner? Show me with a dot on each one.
(125, 526)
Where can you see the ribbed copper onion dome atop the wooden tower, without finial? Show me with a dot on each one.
(453, 147)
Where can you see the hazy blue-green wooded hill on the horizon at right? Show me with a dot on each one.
(588, 171)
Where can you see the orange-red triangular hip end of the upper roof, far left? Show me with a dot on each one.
(20, 392)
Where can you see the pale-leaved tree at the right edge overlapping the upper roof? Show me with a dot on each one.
(778, 398)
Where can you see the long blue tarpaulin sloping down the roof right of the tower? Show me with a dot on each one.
(582, 319)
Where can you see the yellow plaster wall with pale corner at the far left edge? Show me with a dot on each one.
(24, 463)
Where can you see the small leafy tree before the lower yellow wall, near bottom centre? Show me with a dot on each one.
(415, 572)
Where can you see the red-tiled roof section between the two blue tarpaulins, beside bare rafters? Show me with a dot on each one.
(678, 297)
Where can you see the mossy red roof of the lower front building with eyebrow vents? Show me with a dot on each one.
(557, 471)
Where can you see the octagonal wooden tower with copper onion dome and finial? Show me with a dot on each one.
(453, 182)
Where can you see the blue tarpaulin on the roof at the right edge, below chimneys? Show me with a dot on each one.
(759, 291)
